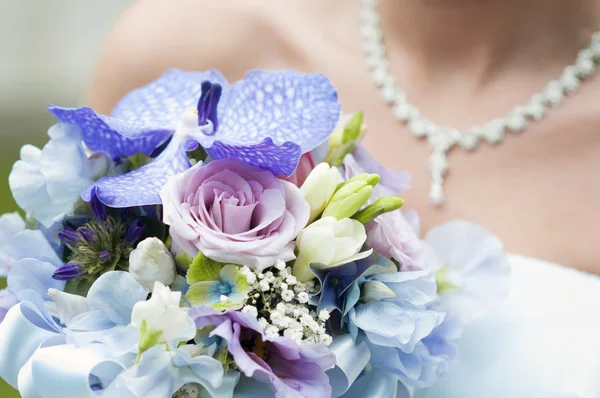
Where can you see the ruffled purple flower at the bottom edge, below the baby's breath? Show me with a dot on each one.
(290, 369)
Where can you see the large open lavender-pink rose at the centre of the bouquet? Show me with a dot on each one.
(233, 212)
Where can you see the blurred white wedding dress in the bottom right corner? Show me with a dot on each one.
(543, 342)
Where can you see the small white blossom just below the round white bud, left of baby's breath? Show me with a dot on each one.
(162, 313)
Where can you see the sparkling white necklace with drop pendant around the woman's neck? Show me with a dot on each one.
(442, 139)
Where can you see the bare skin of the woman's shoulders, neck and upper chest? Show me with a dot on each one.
(462, 62)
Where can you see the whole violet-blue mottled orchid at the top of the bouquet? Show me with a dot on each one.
(269, 120)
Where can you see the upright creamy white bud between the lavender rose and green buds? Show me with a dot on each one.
(319, 188)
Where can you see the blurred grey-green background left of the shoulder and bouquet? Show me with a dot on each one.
(47, 54)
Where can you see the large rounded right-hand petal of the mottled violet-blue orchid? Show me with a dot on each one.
(271, 118)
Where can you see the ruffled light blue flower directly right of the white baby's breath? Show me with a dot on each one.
(388, 310)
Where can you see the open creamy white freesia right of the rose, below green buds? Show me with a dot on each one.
(329, 242)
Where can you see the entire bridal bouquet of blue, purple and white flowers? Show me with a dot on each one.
(228, 240)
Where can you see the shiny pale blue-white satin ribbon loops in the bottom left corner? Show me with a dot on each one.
(35, 359)
